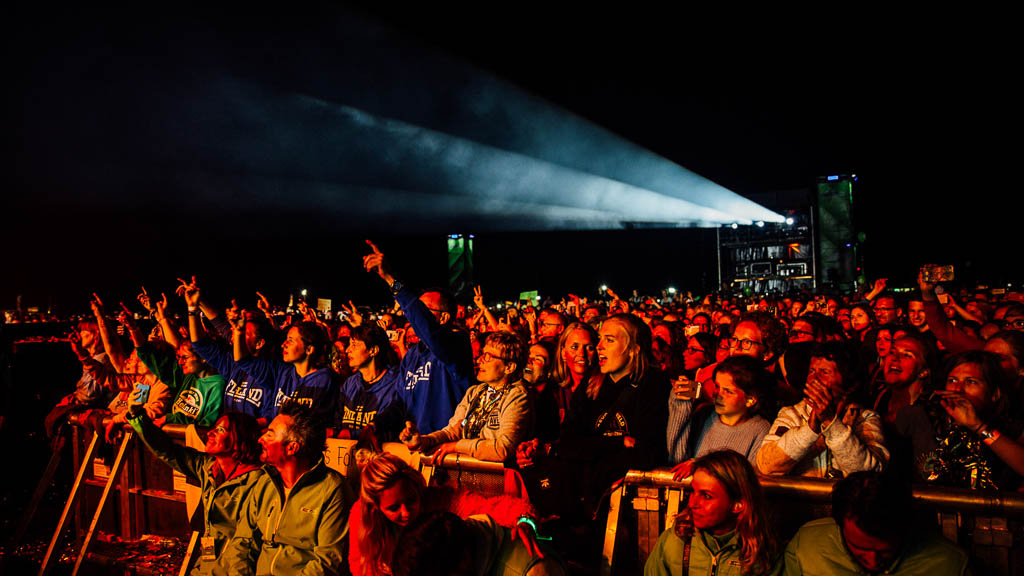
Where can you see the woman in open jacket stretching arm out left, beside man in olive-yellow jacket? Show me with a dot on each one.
(227, 474)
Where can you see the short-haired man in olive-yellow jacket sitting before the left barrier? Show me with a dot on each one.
(296, 519)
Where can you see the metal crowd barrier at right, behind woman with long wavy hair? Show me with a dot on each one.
(987, 523)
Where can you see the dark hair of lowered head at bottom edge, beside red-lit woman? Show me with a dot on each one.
(434, 545)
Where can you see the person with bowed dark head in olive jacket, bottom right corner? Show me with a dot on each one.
(872, 530)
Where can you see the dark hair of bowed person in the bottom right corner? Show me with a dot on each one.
(879, 504)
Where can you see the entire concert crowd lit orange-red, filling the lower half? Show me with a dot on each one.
(878, 390)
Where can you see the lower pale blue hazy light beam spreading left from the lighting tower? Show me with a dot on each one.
(356, 151)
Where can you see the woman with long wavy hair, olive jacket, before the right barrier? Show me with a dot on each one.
(724, 529)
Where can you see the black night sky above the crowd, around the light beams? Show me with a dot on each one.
(120, 175)
